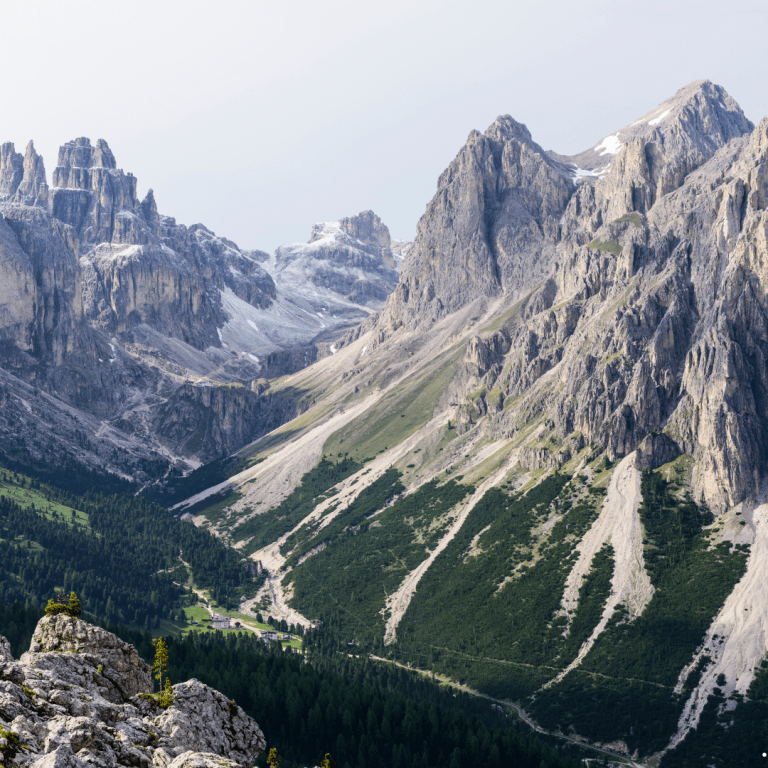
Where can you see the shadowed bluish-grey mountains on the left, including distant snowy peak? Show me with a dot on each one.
(144, 345)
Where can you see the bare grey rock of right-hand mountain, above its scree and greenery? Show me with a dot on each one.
(632, 298)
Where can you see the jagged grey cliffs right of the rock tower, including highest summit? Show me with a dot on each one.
(652, 317)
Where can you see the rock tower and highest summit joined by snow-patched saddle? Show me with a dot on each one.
(504, 206)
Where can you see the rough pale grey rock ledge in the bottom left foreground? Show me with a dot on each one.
(79, 697)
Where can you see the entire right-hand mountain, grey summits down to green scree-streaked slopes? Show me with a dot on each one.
(539, 466)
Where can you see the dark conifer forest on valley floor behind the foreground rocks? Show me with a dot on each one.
(366, 714)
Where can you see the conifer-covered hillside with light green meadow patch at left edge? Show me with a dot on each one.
(119, 553)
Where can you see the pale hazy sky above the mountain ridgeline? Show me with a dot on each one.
(260, 118)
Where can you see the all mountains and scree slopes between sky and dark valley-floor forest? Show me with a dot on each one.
(527, 452)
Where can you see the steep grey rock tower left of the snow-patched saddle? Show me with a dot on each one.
(490, 229)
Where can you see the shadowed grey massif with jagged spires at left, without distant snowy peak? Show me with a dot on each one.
(90, 273)
